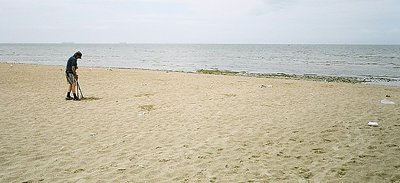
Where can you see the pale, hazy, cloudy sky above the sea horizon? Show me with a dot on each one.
(201, 21)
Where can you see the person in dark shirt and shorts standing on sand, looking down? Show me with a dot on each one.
(72, 76)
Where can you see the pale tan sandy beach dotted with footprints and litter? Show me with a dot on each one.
(155, 126)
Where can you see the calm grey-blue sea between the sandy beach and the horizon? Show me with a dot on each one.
(378, 64)
